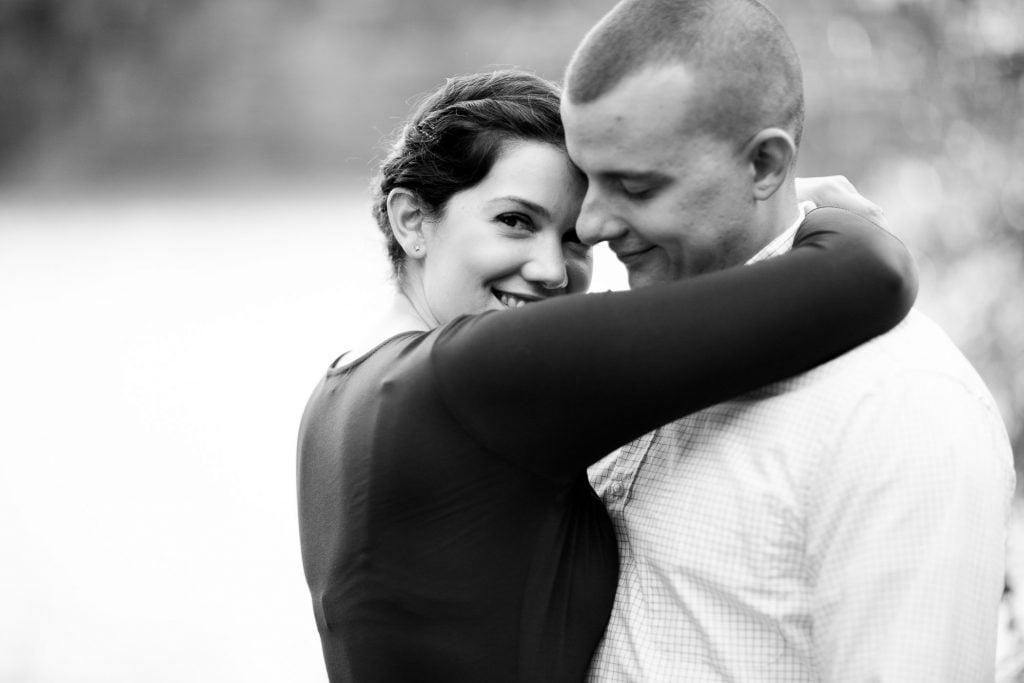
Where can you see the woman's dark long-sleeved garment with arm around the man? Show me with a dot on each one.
(449, 531)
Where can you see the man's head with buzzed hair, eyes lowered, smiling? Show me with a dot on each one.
(686, 115)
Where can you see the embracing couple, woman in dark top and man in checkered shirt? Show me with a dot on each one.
(807, 482)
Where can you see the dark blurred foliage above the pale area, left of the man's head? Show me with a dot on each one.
(105, 88)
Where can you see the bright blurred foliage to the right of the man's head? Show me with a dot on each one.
(923, 105)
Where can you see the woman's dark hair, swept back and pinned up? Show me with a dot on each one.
(455, 137)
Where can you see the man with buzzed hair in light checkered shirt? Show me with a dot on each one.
(844, 526)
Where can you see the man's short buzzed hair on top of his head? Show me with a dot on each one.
(739, 51)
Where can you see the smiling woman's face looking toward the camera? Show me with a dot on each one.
(510, 240)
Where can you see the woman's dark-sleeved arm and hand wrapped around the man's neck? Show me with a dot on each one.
(558, 385)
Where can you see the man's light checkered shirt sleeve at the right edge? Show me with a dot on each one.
(907, 537)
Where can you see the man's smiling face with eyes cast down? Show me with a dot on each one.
(671, 199)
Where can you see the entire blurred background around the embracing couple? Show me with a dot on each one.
(186, 244)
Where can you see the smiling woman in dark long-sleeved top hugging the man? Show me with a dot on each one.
(449, 531)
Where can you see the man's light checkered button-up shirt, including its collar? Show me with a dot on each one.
(848, 525)
